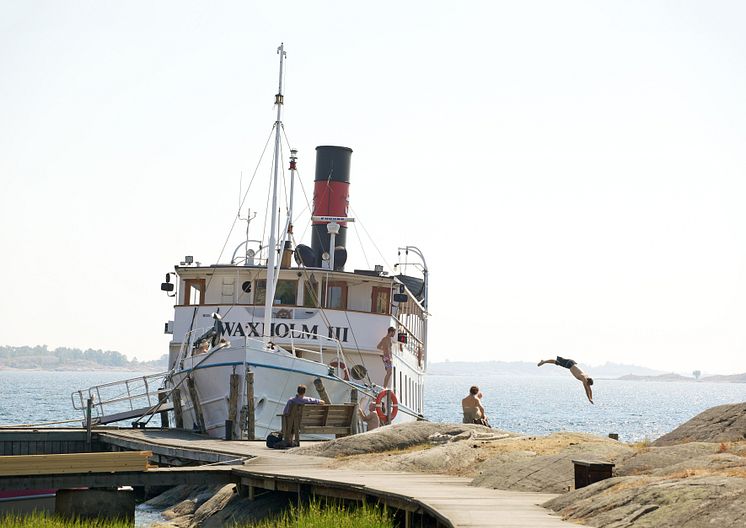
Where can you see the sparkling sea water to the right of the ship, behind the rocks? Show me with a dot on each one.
(635, 410)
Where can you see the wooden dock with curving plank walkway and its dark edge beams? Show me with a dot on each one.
(449, 501)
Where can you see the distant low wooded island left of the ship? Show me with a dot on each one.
(63, 358)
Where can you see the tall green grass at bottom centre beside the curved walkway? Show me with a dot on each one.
(329, 515)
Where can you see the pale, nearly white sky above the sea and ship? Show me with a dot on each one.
(573, 171)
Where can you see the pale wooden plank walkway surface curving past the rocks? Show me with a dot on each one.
(450, 499)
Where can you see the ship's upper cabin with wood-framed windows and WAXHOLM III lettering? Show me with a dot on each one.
(355, 308)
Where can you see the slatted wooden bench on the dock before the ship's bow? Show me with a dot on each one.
(336, 419)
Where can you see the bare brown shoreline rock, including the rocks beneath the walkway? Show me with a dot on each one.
(694, 476)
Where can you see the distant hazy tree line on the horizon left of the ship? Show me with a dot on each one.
(64, 355)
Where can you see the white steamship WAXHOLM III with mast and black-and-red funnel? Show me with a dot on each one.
(294, 315)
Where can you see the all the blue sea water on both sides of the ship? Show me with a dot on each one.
(532, 405)
